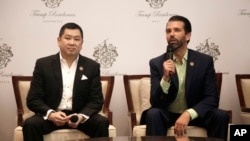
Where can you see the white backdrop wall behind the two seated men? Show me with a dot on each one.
(137, 31)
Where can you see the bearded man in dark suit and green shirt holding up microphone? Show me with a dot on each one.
(183, 89)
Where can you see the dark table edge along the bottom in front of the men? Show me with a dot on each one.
(150, 138)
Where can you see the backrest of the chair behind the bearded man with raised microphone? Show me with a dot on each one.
(137, 90)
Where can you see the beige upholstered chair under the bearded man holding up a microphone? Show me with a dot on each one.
(137, 89)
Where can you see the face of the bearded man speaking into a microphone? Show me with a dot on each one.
(176, 35)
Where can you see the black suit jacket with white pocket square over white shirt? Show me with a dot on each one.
(46, 87)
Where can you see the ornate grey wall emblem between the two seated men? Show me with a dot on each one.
(105, 54)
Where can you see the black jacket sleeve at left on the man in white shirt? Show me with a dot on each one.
(38, 99)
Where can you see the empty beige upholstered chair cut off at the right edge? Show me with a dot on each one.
(243, 88)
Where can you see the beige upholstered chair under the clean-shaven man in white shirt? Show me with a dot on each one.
(21, 86)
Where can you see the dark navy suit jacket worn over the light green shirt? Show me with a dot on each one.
(200, 86)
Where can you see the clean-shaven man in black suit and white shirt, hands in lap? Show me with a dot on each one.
(63, 85)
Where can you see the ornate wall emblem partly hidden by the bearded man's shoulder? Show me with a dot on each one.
(209, 48)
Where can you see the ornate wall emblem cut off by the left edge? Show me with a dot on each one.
(5, 55)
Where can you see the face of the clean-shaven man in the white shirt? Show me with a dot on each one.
(70, 43)
